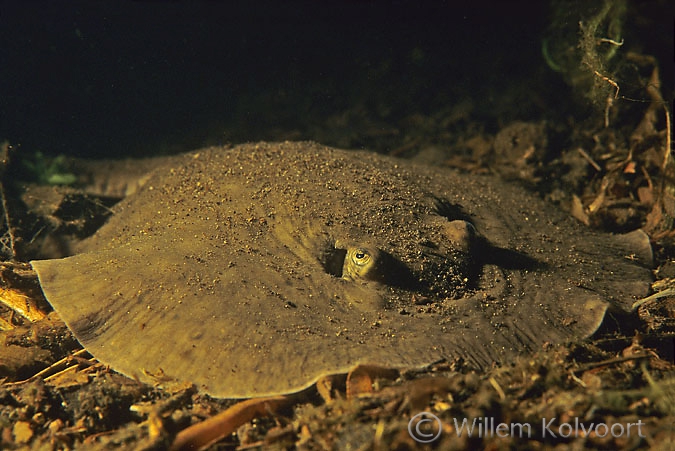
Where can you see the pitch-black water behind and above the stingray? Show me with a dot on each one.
(120, 78)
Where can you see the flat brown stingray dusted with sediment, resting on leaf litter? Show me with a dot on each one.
(256, 270)
